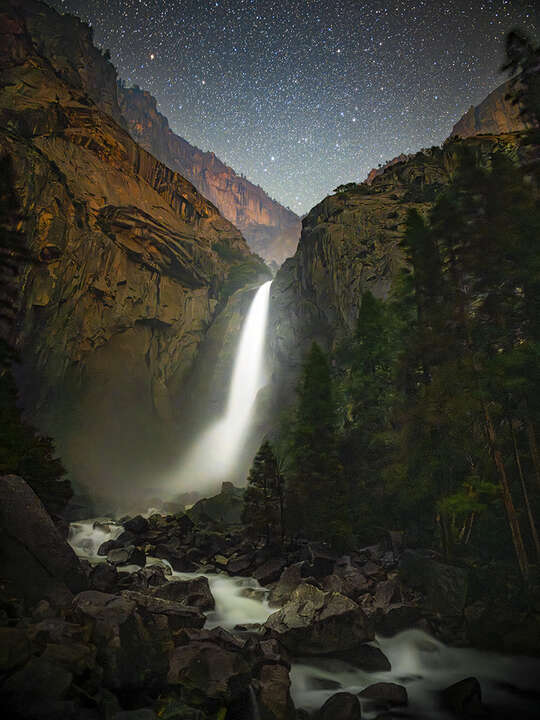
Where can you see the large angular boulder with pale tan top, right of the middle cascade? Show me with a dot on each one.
(317, 623)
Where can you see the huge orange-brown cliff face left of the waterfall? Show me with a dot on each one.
(130, 260)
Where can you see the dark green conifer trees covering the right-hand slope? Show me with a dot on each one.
(427, 418)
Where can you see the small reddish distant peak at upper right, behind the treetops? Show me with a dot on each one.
(495, 115)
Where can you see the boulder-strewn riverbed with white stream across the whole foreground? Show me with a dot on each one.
(184, 616)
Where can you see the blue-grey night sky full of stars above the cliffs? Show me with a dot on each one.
(303, 95)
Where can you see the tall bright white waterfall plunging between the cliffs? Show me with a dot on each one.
(214, 454)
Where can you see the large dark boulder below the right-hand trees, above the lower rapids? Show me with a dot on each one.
(444, 586)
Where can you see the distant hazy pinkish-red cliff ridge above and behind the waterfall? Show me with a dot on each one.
(271, 230)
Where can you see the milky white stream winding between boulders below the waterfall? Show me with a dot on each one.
(419, 662)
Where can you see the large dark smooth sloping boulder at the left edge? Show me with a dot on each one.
(36, 561)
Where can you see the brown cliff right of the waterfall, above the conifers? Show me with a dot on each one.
(350, 244)
